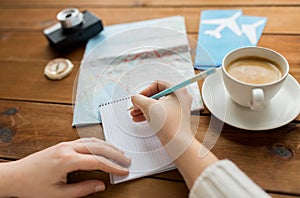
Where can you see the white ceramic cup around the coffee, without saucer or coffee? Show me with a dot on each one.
(254, 96)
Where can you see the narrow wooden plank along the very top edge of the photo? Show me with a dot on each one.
(118, 3)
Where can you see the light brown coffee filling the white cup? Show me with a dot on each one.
(254, 70)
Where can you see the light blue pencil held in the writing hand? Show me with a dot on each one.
(180, 85)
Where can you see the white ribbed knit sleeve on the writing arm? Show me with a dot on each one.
(225, 179)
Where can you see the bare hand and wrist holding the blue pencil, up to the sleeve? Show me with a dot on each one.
(170, 118)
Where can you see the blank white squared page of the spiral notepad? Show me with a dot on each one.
(137, 140)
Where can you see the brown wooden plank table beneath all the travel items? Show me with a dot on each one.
(42, 109)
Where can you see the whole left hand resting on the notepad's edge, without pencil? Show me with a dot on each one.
(44, 174)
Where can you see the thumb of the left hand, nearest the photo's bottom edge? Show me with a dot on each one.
(82, 189)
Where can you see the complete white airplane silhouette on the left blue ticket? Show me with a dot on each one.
(223, 23)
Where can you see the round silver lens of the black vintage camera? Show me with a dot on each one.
(70, 18)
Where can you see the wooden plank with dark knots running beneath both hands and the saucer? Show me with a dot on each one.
(268, 157)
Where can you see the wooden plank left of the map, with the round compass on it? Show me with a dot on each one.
(26, 81)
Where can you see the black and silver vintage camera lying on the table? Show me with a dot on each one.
(74, 28)
